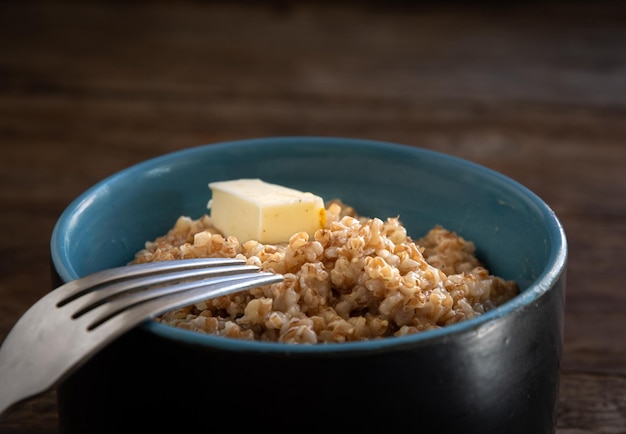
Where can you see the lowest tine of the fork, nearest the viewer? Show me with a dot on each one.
(112, 319)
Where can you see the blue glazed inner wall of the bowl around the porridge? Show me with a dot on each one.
(516, 233)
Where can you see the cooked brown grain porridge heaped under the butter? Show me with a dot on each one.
(358, 278)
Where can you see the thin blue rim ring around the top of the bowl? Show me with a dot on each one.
(556, 263)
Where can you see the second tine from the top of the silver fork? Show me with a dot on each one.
(86, 302)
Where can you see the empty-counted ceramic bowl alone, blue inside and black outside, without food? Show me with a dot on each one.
(498, 373)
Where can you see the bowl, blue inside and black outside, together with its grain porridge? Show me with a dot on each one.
(388, 290)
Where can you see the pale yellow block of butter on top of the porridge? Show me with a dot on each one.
(251, 209)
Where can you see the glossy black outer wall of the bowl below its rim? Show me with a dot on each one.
(502, 377)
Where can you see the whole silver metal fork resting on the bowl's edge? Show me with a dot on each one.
(70, 324)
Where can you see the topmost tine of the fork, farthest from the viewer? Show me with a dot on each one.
(78, 287)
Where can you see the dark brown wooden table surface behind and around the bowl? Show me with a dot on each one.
(535, 92)
